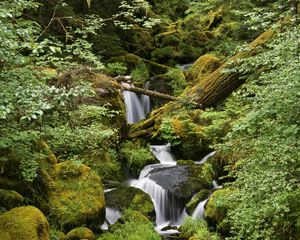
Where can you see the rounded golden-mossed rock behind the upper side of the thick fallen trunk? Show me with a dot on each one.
(204, 65)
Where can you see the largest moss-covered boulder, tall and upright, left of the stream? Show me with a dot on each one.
(75, 196)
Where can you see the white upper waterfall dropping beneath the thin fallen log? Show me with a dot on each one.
(137, 106)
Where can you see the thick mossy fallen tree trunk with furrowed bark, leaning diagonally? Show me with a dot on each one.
(206, 92)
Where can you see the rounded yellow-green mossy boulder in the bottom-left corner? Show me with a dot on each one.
(24, 223)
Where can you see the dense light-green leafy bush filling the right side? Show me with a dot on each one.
(264, 145)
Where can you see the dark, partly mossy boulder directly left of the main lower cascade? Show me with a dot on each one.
(125, 197)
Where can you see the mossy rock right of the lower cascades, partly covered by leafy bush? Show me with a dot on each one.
(216, 210)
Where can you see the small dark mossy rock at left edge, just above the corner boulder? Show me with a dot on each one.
(10, 199)
